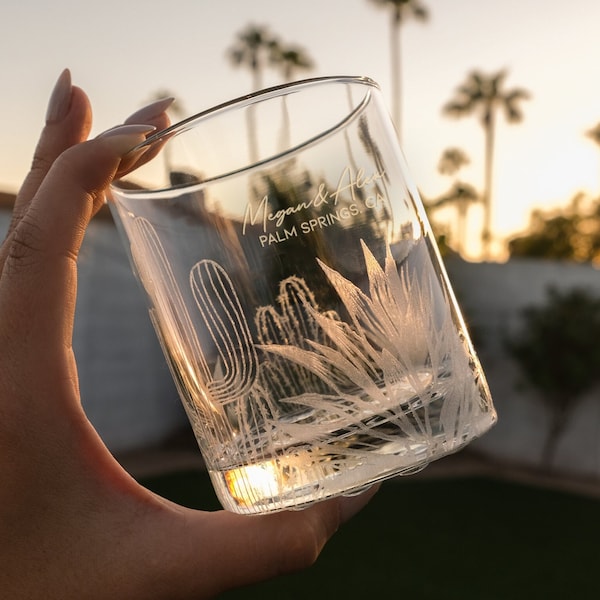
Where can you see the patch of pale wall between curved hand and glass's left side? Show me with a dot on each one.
(127, 390)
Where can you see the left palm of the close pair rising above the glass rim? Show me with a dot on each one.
(252, 48)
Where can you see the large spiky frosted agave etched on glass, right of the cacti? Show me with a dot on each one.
(389, 365)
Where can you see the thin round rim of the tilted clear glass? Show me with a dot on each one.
(245, 101)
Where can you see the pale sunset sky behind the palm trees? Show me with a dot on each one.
(124, 52)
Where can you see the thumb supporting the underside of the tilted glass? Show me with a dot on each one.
(217, 551)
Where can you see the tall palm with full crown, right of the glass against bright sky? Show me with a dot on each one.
(484, 95)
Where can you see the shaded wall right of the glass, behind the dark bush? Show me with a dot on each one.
(492, 296)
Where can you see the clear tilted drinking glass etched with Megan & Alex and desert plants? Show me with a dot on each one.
(298, 295)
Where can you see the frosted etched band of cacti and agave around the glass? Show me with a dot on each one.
(395, 368)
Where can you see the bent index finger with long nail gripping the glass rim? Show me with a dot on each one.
(38, 278)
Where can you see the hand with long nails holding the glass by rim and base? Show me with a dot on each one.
(73, 523)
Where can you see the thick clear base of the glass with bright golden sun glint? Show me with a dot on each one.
(299, 477)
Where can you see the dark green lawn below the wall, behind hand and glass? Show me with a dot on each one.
(450, 539)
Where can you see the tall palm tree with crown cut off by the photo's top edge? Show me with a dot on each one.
(400, 11)
